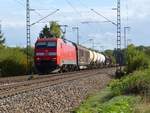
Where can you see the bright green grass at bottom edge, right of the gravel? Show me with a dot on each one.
(104, 102)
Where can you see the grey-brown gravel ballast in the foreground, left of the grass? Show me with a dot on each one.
(60, 98)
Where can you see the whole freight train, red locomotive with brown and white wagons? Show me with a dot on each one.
(53, 54)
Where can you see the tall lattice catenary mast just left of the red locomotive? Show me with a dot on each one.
(29, 65)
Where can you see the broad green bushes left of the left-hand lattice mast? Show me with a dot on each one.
(12, 62)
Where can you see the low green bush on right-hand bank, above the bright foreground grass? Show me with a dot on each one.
(135, 83)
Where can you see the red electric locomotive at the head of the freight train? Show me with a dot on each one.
(54, 53)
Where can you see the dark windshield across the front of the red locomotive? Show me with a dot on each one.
(45, 45)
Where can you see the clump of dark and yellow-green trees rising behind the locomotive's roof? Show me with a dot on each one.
(53, 31)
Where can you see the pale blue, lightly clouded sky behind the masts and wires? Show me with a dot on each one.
(134, 13)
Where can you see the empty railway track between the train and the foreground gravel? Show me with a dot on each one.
(25, 86)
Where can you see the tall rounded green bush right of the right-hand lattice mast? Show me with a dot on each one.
(135, 59)
